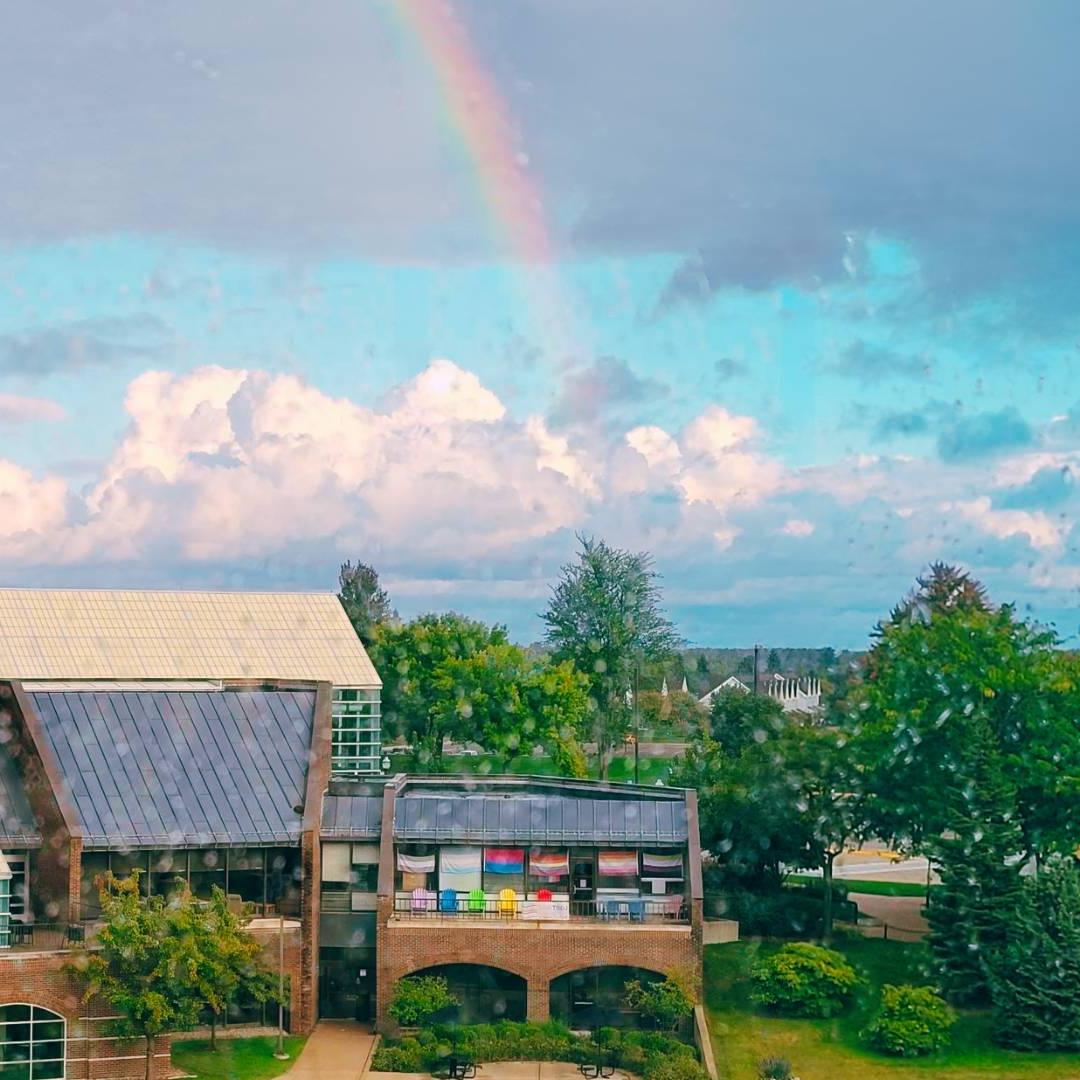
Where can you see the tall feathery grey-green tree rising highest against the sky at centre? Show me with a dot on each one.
(605, 617)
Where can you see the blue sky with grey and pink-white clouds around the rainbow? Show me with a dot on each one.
(818, 319)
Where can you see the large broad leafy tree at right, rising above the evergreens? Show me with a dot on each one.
(946, 667)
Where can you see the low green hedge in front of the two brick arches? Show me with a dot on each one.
(652, 1055)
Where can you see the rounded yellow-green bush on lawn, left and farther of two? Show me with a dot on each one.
(804, 980)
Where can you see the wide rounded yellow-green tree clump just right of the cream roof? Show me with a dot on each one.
(449, 677)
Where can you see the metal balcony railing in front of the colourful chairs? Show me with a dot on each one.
(632, 911)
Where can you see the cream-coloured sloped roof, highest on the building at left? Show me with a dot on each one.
(124, 634)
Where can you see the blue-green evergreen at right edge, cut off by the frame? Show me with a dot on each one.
(1035, 979)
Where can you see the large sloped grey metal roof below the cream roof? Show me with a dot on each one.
(163, 769)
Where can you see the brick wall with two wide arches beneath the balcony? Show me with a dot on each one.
(538, 955)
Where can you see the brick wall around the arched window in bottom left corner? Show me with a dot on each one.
(42, 979)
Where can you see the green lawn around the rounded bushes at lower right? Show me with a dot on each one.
(832, 1050)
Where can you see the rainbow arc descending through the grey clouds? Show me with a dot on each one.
(478, 114)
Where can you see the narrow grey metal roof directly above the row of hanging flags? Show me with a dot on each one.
(538, 819)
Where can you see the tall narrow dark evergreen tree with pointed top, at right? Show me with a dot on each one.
(977, 860)
